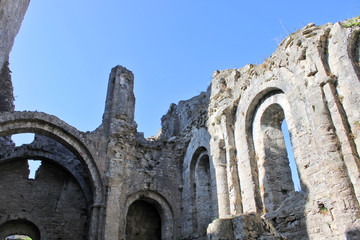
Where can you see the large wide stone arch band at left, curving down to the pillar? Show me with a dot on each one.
(71, 138)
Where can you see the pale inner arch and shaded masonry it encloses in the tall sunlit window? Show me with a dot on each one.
(271, 156)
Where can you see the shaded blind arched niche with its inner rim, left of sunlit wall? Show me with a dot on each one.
(201, 190)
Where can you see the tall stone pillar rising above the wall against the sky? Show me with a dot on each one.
(119, 124)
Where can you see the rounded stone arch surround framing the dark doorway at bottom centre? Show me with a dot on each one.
(162, 206)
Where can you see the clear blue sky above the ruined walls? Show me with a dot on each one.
(65, 50)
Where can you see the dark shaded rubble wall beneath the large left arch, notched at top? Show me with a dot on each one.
(48, 200)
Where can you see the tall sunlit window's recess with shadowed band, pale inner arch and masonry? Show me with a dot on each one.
(268, 154)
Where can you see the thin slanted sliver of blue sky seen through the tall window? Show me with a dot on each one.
(293, 167)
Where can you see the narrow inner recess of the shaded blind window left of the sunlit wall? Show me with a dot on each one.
(203, 192)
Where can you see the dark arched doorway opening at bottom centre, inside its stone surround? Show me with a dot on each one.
(143, 222)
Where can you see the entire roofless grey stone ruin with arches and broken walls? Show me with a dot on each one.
(218, 169)
